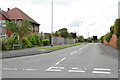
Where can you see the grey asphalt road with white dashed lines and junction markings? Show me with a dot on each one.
(83, 61)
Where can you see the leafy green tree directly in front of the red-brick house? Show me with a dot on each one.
(21, 27)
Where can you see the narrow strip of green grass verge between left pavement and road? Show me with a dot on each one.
(62, 46)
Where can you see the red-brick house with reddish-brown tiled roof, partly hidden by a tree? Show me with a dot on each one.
(15, 14)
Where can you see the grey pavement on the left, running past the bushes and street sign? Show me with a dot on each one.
(24, 52)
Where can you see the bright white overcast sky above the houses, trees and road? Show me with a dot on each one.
(86, 17)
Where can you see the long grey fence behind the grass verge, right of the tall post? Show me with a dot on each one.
(60, 41)
